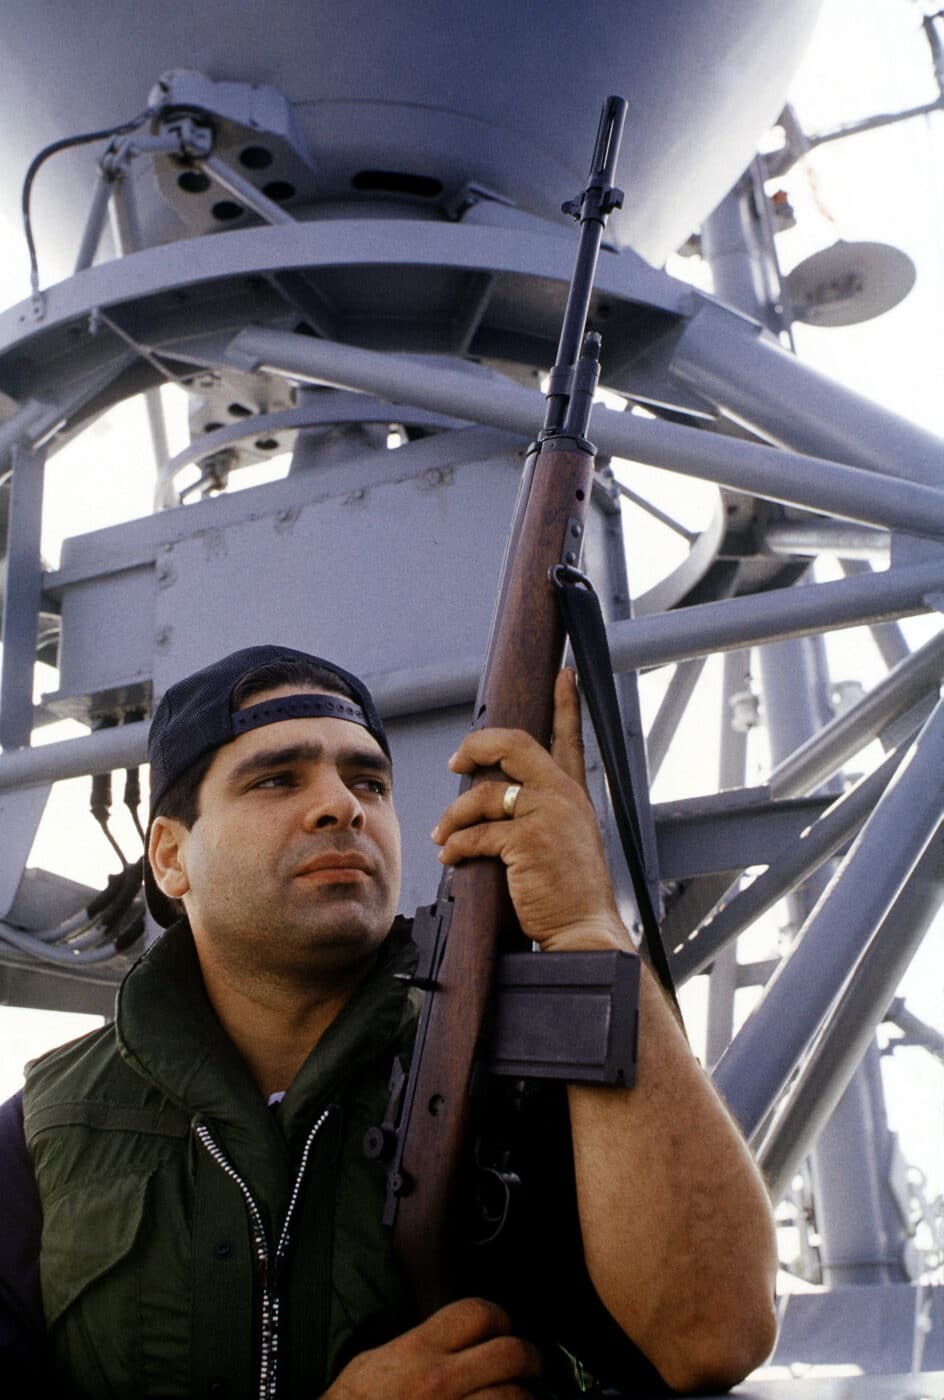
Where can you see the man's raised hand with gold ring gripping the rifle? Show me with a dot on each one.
(551, 848)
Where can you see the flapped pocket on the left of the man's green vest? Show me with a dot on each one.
(90, 1289)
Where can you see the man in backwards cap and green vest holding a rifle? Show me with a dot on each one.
(211, 1223)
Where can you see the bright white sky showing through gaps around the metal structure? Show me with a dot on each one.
(889, 187)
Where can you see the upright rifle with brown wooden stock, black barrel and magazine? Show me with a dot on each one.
(483, 1007)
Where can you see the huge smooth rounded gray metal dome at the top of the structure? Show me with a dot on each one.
(497, 100)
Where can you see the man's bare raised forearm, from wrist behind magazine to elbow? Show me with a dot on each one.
(677, 1226)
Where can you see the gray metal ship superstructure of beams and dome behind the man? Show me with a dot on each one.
(340, 230)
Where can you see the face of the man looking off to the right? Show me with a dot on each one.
(293, 864)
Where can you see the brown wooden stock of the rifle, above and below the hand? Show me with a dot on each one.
(526, 654)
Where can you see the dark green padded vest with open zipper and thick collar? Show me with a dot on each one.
(193, 1237)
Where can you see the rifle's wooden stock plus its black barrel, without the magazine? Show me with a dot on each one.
(523, 659)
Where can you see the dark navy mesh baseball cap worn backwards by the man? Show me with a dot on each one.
(195, 716)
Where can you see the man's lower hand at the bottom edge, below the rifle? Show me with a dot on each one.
(466, 1350)
